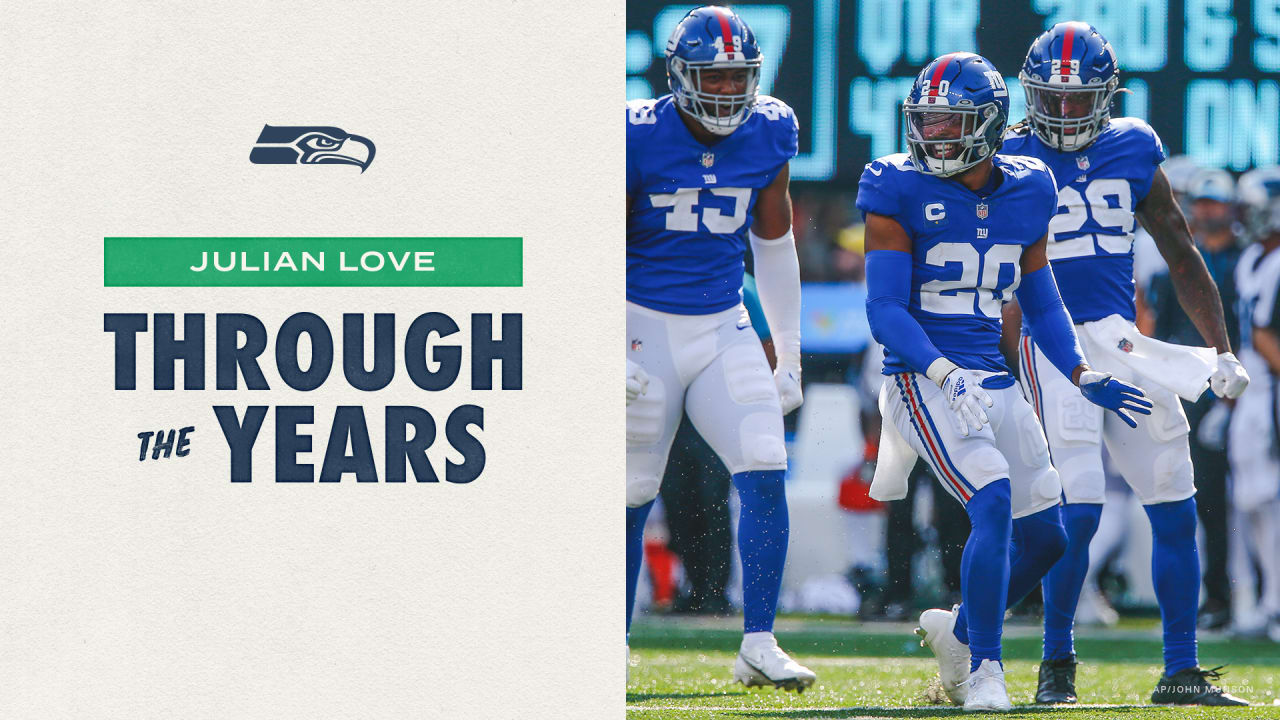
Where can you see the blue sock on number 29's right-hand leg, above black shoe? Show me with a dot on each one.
(1176, 571)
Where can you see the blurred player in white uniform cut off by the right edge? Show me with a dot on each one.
(1254, 444)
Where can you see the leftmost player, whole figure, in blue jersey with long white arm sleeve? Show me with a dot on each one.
(707, 174)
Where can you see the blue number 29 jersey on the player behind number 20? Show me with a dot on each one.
(1091, 239)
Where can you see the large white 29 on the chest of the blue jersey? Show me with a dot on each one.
(1108, 202)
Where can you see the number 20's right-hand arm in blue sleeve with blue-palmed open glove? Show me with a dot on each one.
(1055, 335)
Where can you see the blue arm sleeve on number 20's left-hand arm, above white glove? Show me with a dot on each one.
(889, 289)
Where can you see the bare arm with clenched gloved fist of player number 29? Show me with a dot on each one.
(1196, 290)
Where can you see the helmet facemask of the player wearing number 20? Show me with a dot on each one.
(947, 140)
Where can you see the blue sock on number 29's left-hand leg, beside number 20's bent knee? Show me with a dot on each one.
(1063, 584)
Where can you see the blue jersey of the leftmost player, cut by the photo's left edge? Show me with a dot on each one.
(692, 204)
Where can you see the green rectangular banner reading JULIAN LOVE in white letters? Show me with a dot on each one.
(313, 262)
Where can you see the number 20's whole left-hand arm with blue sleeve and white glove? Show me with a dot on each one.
(889, 289)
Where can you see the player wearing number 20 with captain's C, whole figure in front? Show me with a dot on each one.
(953, 233)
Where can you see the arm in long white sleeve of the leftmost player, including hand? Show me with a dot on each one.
(778, 282)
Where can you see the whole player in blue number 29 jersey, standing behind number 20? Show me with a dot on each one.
(1108, 174)
